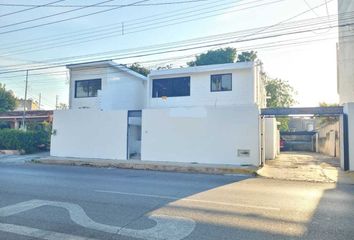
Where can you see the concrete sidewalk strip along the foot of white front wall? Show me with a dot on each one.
(152, 165)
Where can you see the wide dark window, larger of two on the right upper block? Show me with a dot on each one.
(171, 87)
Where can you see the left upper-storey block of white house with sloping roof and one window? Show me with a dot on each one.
(105, 85)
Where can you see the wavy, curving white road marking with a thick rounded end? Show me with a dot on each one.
(167, 227)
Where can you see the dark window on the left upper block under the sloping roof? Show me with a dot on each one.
(87, 88)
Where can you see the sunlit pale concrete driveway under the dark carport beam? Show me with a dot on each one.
(301, 166)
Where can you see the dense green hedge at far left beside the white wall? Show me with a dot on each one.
(28, 141)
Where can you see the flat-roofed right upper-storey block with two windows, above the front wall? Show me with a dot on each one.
(212, 85)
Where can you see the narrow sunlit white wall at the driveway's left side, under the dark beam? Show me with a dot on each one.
(271, 138)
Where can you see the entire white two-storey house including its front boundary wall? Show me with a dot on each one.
(204, 114)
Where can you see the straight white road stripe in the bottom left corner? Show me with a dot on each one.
(38, 233)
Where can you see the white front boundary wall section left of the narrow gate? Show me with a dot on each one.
(89, 134)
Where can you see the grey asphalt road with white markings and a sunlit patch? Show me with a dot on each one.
(77, 203)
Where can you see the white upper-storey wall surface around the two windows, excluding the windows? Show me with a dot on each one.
(244, 90)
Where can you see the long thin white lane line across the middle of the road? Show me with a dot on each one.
(192, 200)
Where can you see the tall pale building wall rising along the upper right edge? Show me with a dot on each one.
(345, 53)
